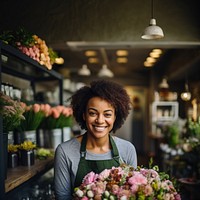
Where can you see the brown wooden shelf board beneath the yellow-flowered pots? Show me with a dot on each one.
(19, 175)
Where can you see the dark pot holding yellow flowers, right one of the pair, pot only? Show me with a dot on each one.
(27, 157)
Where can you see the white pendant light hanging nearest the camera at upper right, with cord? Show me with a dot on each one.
(152, 31)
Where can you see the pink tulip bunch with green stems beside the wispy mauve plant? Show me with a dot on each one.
(34, 114)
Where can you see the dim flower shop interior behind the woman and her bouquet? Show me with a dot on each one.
(88, 40)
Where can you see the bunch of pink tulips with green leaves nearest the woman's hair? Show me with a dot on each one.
(59, 117)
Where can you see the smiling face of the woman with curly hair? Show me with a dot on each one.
(99, 117)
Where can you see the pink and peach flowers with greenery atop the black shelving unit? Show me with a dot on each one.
(31, 45)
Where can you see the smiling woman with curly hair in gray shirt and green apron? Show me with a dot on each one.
(100, 109)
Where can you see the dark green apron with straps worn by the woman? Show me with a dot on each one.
(97, 166)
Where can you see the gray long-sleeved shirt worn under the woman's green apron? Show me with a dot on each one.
(67, 158)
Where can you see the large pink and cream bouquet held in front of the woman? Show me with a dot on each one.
(126, 183)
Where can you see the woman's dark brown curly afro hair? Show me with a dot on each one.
(112, 92)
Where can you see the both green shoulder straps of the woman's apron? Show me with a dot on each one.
(112, 142)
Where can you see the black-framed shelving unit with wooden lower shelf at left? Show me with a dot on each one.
(15, 63)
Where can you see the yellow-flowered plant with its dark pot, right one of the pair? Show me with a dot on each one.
(27, 153)
